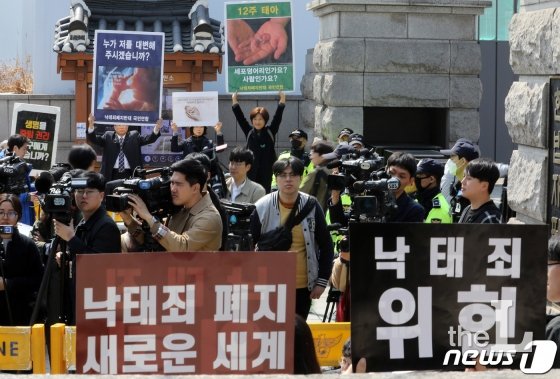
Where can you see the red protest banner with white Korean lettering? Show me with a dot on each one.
(177, 313)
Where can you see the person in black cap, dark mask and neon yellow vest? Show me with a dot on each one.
(428, 193)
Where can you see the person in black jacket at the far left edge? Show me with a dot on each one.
(21, 268)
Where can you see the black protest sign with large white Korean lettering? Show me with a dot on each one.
(417, 287)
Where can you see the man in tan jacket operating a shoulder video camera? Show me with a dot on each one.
(196, 226)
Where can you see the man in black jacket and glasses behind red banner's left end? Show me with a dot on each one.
(95, 233)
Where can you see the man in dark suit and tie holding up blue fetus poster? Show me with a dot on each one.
(121, 149)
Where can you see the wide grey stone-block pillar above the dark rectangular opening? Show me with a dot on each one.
(379, 53)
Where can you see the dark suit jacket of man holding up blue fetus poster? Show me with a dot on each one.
(110, 144)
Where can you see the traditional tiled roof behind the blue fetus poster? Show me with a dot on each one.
(180, 20)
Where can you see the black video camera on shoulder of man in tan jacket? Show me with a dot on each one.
(155, 191)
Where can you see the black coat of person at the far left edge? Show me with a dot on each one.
(22, 270)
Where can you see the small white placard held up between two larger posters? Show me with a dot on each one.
(195, 108)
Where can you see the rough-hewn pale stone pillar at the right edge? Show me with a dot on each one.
(534, 56)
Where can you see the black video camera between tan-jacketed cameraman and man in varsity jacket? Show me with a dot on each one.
(239, 220)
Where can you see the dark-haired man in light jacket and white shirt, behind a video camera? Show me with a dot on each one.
(241, 189)
